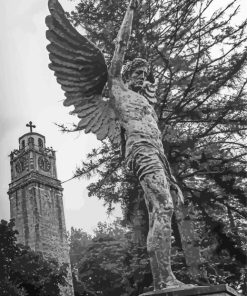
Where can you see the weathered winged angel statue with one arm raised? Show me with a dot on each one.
(81, 70)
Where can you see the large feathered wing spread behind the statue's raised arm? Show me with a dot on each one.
(81, 70)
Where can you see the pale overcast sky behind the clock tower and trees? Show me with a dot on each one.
(29, 91)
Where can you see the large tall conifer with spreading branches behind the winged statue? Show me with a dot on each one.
(199, 60)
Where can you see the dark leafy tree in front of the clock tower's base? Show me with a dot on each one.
(25, 272)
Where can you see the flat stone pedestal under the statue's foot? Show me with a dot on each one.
(220, 290)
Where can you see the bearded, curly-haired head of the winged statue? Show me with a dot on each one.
(135, 73)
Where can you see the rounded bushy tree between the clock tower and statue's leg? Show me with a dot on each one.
(111, 264)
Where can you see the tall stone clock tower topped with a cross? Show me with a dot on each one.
(36, 200)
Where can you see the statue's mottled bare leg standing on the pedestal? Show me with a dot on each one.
(160, 207)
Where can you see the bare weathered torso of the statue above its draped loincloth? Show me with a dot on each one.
(136, 116)
